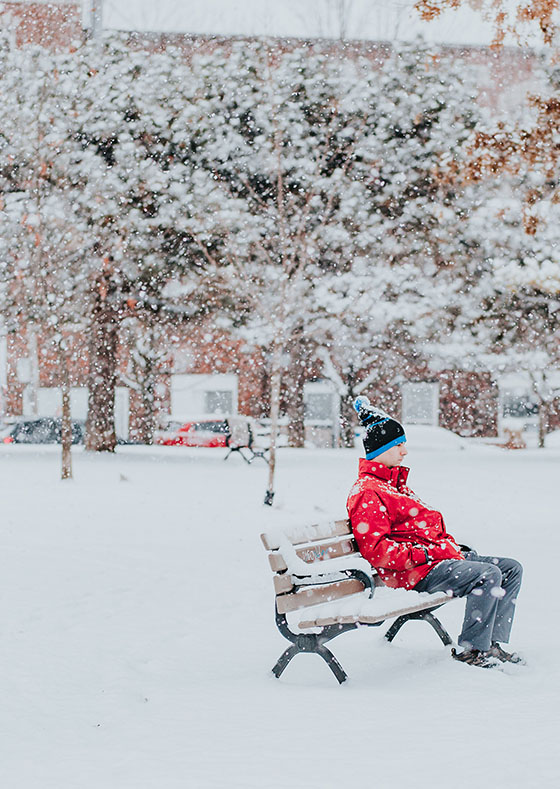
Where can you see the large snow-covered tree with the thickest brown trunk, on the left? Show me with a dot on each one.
(89, 141)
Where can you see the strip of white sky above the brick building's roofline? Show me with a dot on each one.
(369, 19)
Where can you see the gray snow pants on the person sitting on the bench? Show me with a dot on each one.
(490, 584)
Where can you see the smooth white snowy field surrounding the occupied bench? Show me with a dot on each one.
(137, 630)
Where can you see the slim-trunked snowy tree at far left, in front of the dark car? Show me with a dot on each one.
(45, 241)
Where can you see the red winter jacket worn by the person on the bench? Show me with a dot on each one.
(397, 533)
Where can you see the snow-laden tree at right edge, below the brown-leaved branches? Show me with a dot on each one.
(510, 320)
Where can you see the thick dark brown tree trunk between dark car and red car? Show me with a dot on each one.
(100, 432)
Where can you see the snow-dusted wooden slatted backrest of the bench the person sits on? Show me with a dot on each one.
(296, 556)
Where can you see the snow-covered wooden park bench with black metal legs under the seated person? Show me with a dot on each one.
(324, 588)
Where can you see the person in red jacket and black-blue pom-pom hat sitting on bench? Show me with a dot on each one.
(407, 543)
